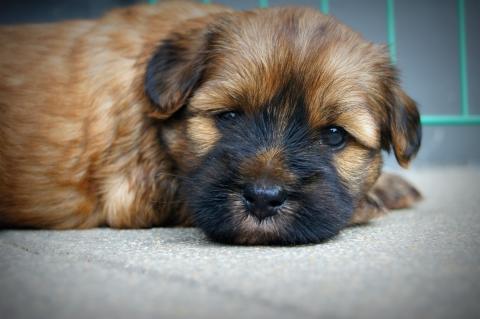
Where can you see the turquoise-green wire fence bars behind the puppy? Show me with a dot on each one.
(463, 117)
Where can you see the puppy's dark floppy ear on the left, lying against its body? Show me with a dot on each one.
(175, 69)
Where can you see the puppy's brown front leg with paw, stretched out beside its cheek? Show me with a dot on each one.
(389, 192)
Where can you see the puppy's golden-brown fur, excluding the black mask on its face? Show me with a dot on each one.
(79, 136)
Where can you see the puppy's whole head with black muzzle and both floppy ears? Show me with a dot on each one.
(276, 120)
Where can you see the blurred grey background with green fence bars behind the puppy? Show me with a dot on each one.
(435, 43)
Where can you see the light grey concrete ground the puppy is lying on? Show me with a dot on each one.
(418, 263)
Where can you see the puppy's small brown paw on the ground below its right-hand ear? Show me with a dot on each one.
(395, 192)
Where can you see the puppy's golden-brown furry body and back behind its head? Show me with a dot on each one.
(72, 117)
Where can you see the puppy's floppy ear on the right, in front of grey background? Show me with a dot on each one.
(405, 130)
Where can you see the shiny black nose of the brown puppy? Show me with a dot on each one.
(263, 200)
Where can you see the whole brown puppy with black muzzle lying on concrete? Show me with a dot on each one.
(260, 127)
